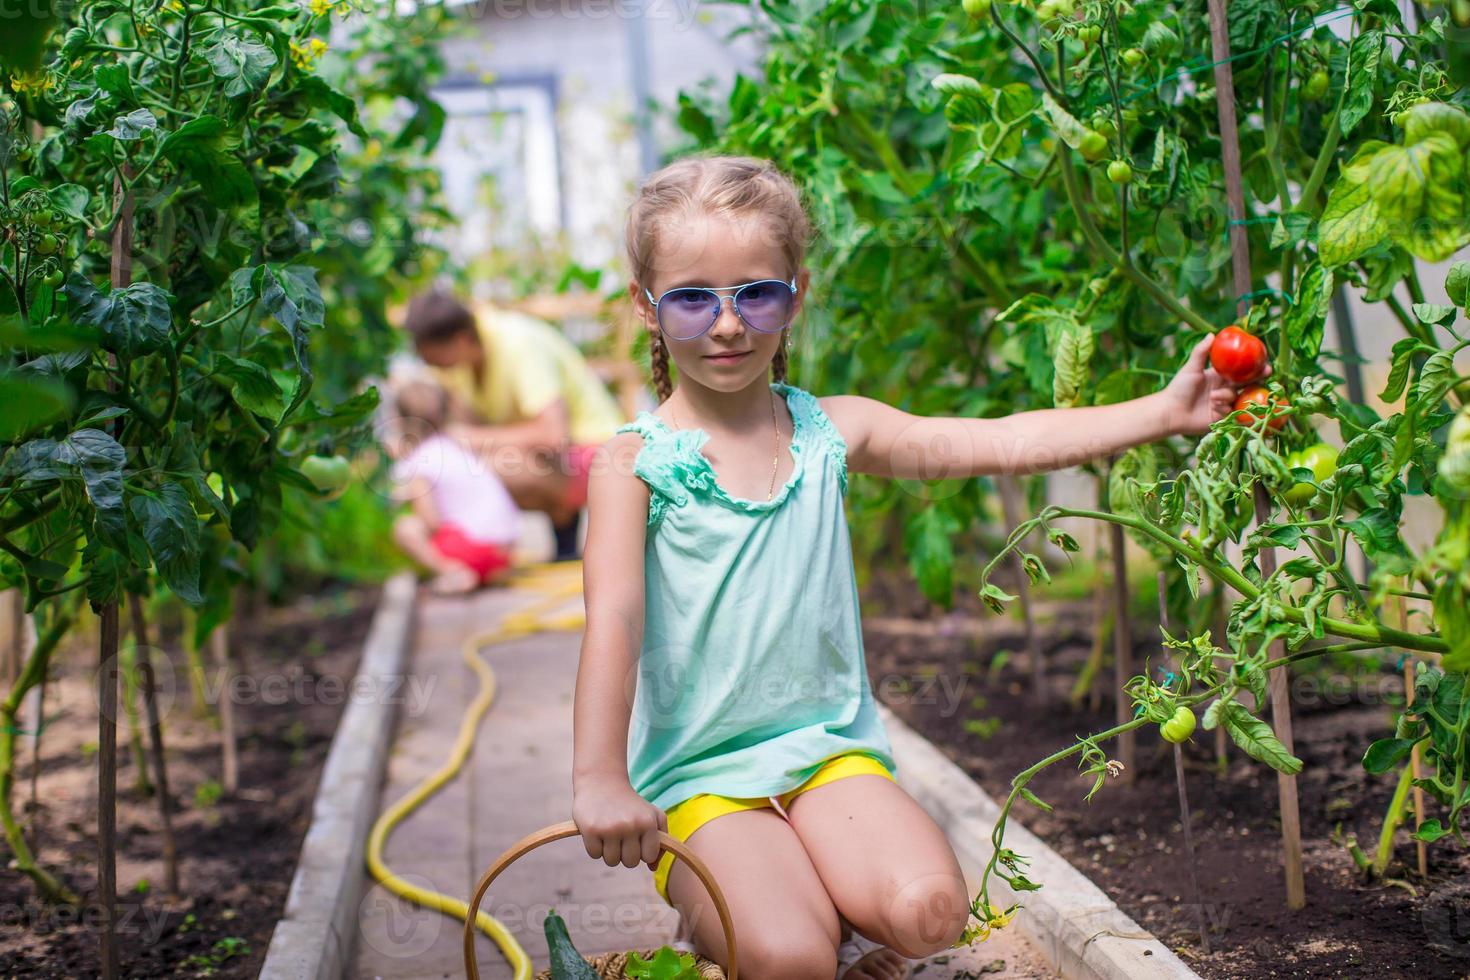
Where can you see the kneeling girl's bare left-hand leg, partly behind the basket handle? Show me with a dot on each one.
(786, 923)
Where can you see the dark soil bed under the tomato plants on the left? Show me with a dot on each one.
(237, 853)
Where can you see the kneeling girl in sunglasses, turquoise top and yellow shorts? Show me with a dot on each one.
(723, 693)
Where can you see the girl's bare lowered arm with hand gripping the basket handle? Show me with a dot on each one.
(617, 824)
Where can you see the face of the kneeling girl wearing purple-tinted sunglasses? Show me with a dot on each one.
(714, 252)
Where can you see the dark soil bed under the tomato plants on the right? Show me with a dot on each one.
(936, 671)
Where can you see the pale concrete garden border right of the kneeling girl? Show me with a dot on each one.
(1080, 931)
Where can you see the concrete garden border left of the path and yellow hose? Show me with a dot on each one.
(314, 941)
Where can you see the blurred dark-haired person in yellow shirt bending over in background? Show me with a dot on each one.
(524, 399)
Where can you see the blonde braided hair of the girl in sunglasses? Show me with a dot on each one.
(725, 186)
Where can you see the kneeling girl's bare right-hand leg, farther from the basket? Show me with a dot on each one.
(886, 863)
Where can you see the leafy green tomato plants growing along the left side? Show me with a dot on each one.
(174, 186)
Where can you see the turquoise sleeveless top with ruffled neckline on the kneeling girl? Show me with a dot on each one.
(752, 671)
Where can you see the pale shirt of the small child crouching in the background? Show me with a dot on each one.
(465, 490)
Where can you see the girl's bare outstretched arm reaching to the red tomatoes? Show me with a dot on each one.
(889, 442)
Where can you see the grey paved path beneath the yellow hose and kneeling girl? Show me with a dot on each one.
(518, 781)
